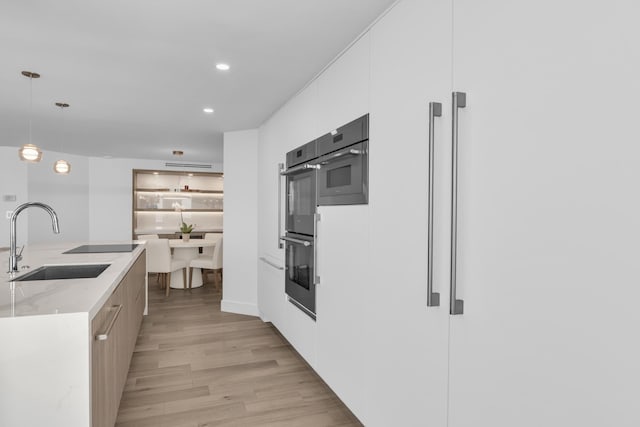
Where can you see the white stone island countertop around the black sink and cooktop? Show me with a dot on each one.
(47, 297)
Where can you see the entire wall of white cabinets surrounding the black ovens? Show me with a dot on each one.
(547, 253)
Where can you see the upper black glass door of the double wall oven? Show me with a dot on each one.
(301, 202)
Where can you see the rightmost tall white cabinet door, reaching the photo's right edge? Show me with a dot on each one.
(548, 214)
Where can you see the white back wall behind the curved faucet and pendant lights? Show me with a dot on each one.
(93, 202)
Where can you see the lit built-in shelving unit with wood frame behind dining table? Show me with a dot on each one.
(160, 197)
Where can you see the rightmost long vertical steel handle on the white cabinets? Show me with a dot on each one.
(459, 100)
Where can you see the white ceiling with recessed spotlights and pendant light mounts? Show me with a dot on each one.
(137, 73)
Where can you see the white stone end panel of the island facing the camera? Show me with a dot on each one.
(45, 370)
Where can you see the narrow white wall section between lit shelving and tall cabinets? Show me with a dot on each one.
(241, 222)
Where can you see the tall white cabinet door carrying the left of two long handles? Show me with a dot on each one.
(406, 353)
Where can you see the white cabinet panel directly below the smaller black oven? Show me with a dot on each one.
(342, 320)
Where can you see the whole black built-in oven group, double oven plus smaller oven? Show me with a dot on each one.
(330, 170)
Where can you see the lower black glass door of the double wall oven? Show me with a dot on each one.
(299, 271)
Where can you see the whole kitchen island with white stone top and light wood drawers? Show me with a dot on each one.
(53, 370)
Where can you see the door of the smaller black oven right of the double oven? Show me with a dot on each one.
(343, 176)
